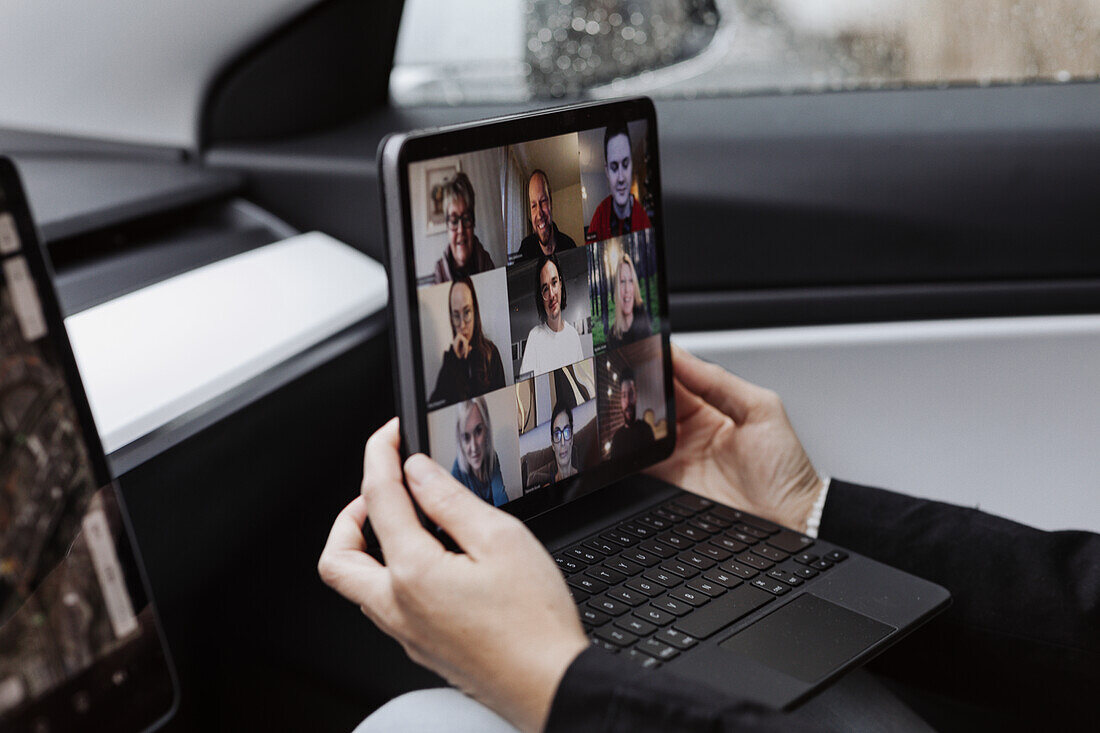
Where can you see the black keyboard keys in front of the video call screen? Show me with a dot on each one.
(654, 586)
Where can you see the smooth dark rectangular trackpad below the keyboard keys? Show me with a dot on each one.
(808, 639)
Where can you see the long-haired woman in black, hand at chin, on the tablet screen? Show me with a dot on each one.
(472, 365)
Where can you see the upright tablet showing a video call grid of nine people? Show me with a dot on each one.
(530, 301)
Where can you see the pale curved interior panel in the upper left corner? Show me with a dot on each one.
(158, 56)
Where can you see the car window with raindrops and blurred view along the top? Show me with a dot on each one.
(489, 51)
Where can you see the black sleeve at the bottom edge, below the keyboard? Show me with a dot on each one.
(607, 693)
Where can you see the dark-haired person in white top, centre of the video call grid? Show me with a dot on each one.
(554, 343)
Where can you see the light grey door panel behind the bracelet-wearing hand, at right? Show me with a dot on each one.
(1000, 414)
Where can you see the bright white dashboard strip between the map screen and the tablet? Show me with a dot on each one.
(151, 356)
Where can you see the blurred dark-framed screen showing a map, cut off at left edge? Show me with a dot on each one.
(81, 647)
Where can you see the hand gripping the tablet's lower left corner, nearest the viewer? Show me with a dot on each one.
(498, 622)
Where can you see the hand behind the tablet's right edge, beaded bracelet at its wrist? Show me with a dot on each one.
(736, 446)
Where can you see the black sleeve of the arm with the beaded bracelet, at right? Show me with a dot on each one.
(1024, 632)
